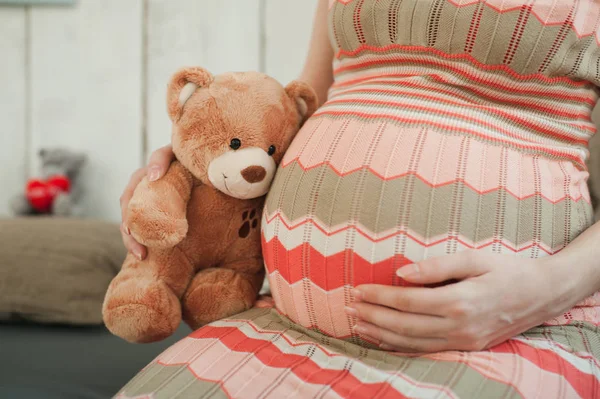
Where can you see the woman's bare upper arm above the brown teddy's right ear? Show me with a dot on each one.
(318, 67)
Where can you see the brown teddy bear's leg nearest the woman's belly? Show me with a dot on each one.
(217, 293)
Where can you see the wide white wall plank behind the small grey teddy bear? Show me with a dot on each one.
(86, 85)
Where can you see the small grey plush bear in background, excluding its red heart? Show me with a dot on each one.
(56, 162)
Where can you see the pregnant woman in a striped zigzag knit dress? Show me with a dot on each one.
(429, 232)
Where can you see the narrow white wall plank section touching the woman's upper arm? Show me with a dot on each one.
(288, 26)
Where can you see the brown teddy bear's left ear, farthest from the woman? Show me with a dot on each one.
(181, 87)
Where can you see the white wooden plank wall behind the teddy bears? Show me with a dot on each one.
(93, 77)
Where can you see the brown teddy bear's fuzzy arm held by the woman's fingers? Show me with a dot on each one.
(156, 215)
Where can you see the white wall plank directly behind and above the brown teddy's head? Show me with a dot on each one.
(219, 35)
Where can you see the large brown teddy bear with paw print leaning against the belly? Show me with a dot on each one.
(200, 222)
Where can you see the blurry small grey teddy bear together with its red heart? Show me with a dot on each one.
(57, 190)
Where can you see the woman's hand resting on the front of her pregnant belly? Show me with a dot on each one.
(496, 298)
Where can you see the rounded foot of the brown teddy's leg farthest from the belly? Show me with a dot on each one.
(148, 316)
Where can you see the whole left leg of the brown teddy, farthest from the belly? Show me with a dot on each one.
(143, 302)
